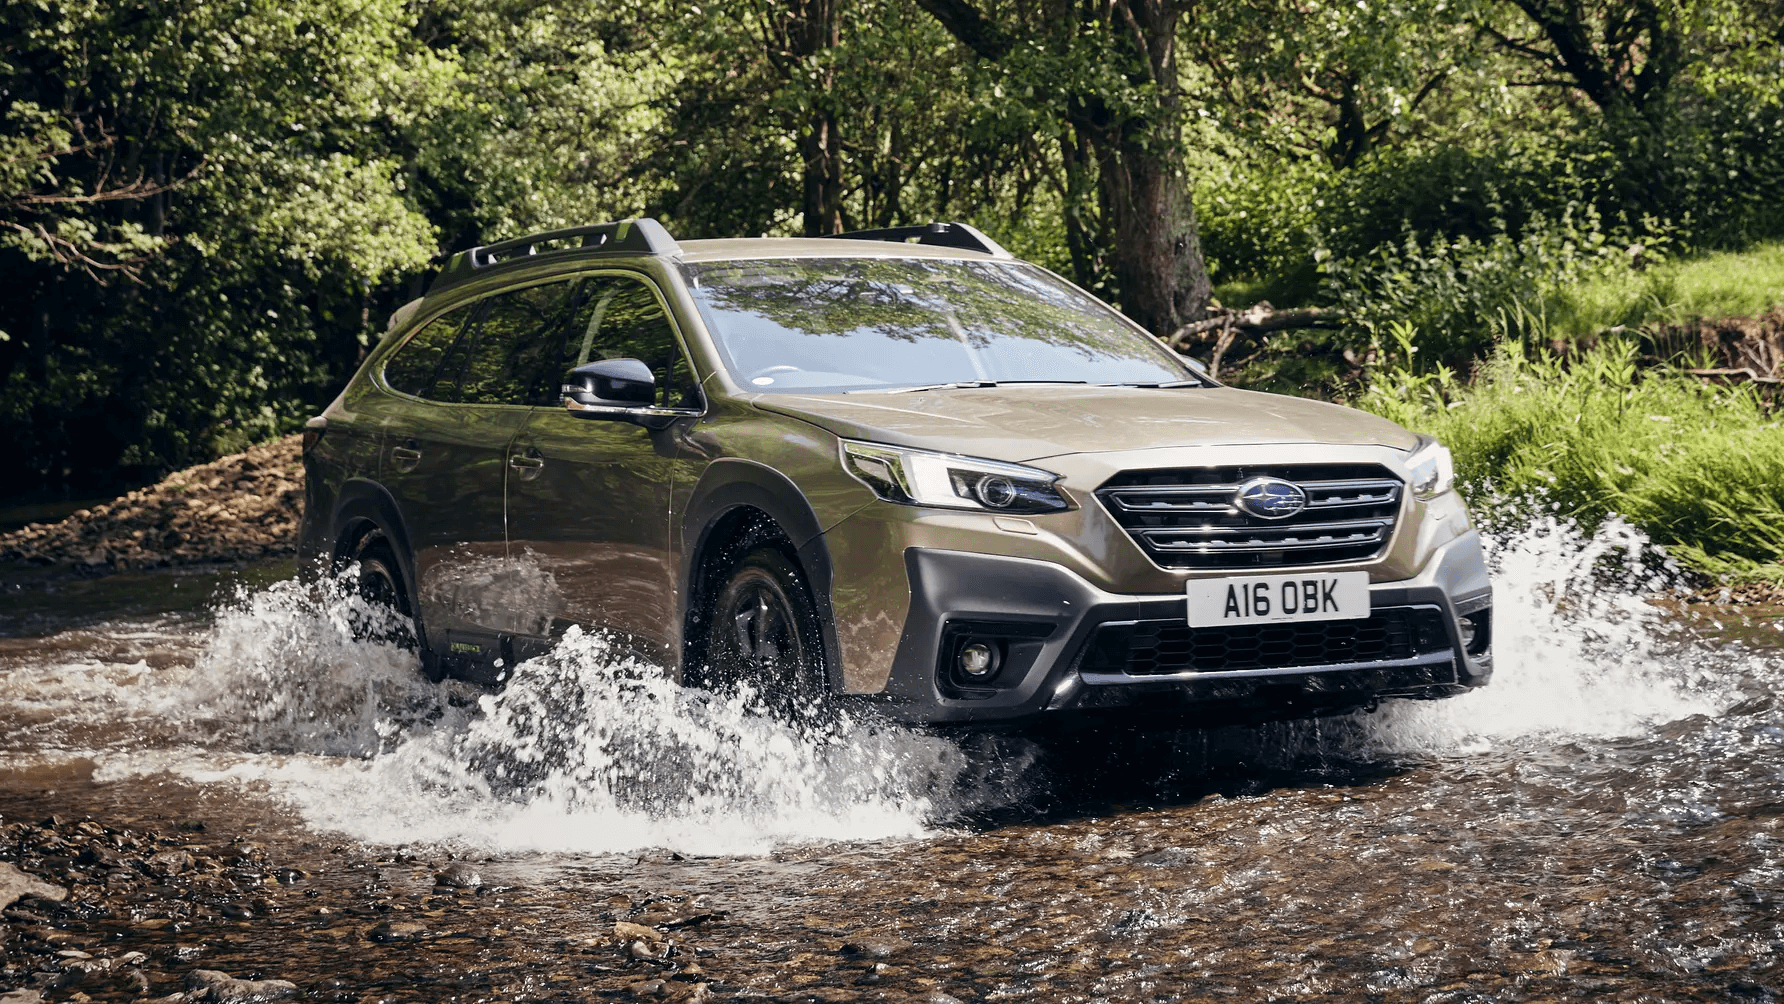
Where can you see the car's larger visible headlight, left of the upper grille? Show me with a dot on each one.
(918, 477)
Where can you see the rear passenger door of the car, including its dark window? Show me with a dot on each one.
(468, 589)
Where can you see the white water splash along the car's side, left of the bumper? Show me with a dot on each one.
(584, 750)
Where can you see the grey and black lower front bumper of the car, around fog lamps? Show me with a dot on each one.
(1064, 646)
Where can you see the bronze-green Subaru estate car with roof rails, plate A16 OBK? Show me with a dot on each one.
(895, 468)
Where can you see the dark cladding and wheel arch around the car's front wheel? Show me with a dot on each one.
(739, 504)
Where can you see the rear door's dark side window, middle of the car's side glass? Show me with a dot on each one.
(513, 343)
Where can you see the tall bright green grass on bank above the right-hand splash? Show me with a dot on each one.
(1697, 468)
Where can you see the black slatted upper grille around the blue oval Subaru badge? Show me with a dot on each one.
(1187, 520)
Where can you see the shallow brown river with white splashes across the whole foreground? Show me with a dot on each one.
(1601, 823)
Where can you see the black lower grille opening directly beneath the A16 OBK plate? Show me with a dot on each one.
(1155, 648)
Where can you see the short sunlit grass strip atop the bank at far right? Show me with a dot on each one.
(1726, 284)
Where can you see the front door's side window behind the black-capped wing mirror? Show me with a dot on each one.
(620, 318)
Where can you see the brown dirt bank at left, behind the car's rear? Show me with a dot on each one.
(238, 509)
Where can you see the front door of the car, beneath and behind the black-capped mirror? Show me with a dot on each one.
(588, 498)
